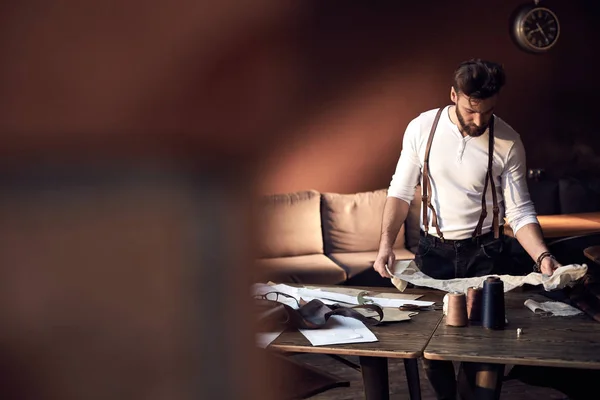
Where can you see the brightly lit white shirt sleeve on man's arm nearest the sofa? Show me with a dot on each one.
(408, 170)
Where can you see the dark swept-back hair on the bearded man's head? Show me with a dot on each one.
(479, 79)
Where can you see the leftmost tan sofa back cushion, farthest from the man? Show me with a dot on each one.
(290, 224)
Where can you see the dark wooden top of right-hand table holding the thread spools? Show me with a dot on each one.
(572, 342)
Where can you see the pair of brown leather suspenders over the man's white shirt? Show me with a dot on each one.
(426, 186)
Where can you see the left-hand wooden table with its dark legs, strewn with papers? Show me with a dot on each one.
(405, 340)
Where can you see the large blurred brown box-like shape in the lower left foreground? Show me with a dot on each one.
(123, 285)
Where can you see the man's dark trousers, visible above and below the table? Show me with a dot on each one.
(458, 259)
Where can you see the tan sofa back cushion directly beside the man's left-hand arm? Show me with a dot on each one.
(352, 222)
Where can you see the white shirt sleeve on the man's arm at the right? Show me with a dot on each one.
(519, 208)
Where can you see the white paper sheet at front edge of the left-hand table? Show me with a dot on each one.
(339, 330)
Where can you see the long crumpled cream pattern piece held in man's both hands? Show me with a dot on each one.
(408, 271)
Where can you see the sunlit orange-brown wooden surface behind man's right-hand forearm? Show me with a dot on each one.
(566, 225)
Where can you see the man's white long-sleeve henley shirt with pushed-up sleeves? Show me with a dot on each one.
(458, 166)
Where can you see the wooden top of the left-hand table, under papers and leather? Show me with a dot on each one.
(405, 339)
